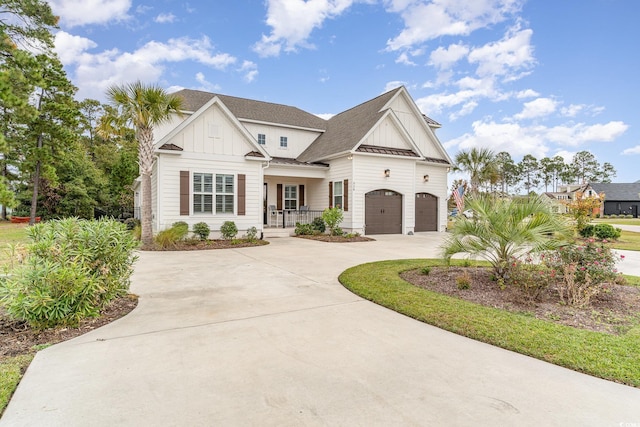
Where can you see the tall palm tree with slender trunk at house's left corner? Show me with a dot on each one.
(142, 107)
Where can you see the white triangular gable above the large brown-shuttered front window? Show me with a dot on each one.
(212, 130)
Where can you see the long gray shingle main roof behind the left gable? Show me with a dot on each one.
(254, 110)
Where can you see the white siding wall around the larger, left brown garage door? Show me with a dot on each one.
(369, 176)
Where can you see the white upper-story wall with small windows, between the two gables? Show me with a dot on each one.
(298, 140)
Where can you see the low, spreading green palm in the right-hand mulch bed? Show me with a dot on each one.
(503, 228)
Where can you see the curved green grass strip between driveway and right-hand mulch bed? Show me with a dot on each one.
(602, 355)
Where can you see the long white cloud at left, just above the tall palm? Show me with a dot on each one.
(94, 72)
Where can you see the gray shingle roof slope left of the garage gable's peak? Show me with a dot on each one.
(346, 129)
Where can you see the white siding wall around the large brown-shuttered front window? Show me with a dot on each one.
(170, 194)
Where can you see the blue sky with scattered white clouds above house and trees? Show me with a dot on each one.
(541, 77)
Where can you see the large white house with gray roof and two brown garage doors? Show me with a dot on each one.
(262, 165)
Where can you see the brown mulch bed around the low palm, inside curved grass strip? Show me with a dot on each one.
(612, 312)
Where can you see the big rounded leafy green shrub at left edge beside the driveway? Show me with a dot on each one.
(73, 269)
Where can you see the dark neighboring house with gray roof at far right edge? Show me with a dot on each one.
(619, 198)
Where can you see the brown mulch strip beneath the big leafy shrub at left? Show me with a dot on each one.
(18, 338)
